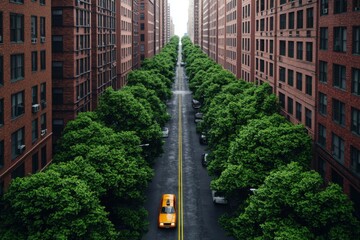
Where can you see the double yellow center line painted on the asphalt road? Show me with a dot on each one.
(180, 189)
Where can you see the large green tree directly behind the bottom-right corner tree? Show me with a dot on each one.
(261, 146)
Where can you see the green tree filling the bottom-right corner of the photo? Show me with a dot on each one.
(293, 204)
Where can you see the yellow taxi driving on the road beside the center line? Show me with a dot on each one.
(167, 213)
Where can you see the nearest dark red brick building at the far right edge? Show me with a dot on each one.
(338, 96)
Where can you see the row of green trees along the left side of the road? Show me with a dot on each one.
(95, 187)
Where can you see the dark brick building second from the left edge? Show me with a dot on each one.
(71, 61)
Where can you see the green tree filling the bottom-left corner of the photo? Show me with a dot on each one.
(48, 206)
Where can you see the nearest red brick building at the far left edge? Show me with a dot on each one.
(25, 88)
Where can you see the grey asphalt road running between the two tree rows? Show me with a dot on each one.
(179, 171)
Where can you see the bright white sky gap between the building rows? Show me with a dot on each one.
(179, 13)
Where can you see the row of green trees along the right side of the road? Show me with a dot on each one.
(252, 146)
